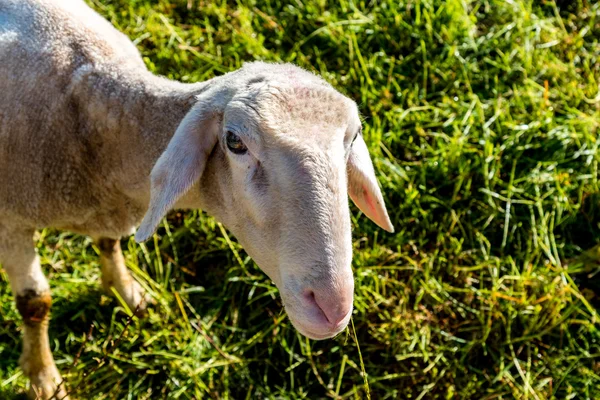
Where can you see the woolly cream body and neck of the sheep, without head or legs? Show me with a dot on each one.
(85, 102)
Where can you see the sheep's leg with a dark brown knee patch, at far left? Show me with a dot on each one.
(32, 294)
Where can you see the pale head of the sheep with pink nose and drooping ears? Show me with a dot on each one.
(281, 156)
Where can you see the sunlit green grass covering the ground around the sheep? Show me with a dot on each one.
(482, 119)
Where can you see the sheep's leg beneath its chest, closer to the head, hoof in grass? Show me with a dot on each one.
(115, 274)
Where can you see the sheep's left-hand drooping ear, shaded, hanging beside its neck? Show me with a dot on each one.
(181, 165)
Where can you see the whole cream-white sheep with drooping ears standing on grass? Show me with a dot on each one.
(92, 142)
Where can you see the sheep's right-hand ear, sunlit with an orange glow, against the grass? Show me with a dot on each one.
(363, 187)
